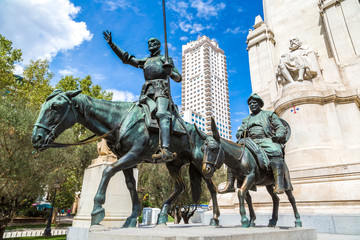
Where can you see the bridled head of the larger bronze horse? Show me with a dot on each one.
(56, 115)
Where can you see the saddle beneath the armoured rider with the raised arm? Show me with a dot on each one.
(148, 106)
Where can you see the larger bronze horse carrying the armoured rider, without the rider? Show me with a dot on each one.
(132, 142)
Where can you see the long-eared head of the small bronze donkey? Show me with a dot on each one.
(213, 153)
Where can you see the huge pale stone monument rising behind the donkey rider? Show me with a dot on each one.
(323, 153)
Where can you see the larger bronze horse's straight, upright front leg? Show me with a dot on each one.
(136, 207)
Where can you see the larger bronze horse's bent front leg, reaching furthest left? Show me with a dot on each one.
(127, 161)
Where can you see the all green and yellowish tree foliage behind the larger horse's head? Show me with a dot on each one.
(25, 176)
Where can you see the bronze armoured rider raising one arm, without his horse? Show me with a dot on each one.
(155, 87)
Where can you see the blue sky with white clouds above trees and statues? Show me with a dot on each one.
(69, 34)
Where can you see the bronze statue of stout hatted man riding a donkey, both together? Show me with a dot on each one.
(258, 159)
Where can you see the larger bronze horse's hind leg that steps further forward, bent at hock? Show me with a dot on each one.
(175, 173)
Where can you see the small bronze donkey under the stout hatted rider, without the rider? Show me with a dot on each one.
(218, 151)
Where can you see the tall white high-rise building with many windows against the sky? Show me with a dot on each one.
(205, 91)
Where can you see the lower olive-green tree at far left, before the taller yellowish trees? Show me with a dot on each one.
(23, 175)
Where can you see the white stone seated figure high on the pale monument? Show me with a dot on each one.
(296, 65)
